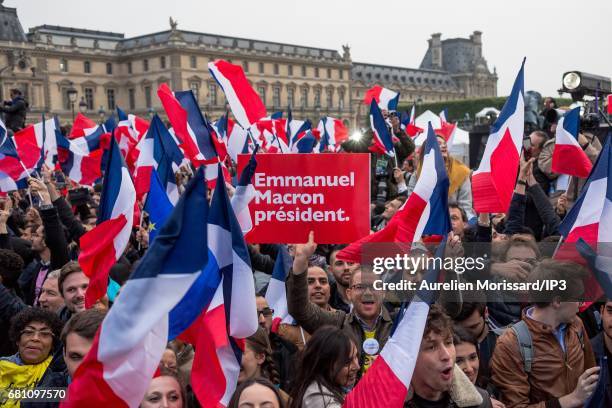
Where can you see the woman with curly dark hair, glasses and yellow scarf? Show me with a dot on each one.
(36, 333)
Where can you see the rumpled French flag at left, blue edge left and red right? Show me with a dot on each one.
(81, 158)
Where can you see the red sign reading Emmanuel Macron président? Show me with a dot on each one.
(296, 193)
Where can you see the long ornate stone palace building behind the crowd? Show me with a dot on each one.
(105, 70)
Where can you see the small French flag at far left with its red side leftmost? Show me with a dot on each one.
(37, 144)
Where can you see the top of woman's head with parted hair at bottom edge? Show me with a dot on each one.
(256, 393)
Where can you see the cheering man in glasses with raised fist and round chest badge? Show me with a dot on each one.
(368, 322)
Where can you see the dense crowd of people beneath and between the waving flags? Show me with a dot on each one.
(516, 352)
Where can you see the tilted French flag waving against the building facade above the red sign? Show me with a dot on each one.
(245, 103)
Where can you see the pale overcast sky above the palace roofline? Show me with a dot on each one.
(555, 36)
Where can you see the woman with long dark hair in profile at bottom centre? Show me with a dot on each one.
(328, 370)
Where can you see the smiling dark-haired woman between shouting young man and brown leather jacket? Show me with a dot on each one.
(468, 359)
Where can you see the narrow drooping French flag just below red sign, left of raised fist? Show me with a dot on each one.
(276, 294)
